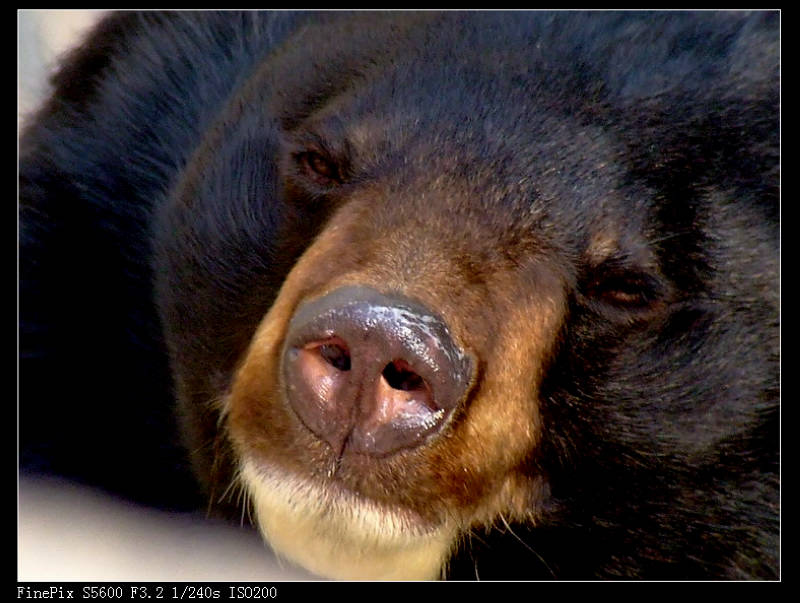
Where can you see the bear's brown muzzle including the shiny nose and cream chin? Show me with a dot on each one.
(387, 248)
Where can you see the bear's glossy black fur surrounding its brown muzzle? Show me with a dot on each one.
(155, 225)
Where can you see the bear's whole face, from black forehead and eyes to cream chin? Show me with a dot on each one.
(481, 285)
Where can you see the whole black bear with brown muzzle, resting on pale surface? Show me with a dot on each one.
(464, 295)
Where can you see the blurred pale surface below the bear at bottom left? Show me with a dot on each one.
(70, 533)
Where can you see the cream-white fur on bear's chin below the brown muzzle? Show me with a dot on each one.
(342, 536)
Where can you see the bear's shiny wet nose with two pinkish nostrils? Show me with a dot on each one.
(371, 372)
